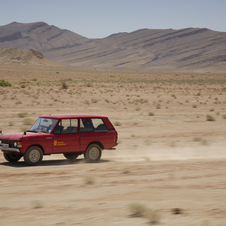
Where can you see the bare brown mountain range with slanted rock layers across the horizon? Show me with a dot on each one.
(190, 49)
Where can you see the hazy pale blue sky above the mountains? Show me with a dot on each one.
(101, 18)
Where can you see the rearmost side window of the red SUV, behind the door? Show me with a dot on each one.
(92, 125)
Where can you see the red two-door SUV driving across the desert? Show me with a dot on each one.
(71, 135)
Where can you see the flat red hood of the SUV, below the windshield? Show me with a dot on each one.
(18, 136)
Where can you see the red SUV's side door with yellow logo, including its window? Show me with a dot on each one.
(66, 137)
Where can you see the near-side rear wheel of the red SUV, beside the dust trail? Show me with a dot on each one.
(93, 153)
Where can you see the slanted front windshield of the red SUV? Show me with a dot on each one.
(44, 125)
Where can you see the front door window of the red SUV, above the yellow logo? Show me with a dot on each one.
(67, 126)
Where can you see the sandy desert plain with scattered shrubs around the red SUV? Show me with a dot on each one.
(168, 168)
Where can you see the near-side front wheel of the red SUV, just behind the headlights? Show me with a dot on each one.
(33, 156)
